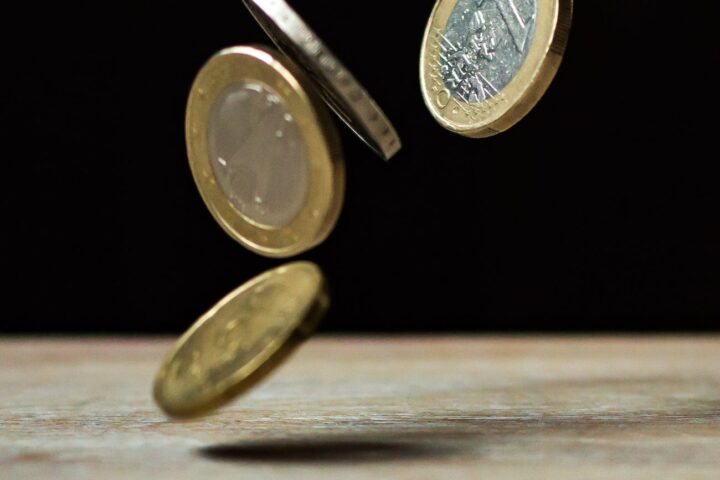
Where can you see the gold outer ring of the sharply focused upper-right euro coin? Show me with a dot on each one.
(499, 113)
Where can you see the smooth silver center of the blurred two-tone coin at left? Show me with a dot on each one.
(258, 155)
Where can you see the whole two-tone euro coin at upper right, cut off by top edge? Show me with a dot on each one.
(486, 63)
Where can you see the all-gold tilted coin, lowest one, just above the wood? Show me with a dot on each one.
(239, 341)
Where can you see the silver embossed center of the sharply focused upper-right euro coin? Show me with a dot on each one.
(484, 44)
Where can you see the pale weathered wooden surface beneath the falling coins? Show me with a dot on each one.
(350, 408)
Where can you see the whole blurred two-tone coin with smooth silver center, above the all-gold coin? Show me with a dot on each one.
(264, 152)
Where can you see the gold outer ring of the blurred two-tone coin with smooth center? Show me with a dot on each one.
(326, 190)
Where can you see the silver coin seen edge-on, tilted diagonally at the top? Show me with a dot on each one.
(339, 88)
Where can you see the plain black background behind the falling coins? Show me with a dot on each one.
(599, 211)
